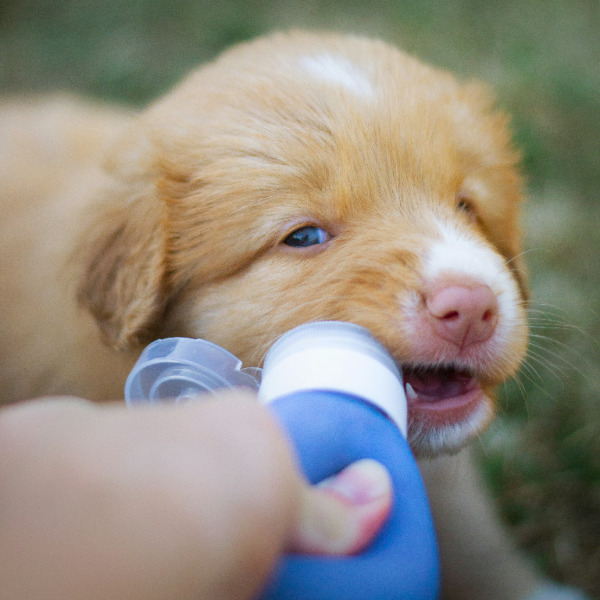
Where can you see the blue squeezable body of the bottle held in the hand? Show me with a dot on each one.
(329, 431)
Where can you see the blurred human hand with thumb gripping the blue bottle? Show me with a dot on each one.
(164, 502)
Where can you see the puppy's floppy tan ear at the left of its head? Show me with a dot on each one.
(122, 280)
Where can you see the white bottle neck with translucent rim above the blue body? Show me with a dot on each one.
(335, 356)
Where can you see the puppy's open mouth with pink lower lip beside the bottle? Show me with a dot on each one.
(444, 392)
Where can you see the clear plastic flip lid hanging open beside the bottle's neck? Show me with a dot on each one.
(179, 369)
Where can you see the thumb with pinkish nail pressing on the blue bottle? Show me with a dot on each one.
(342, 514)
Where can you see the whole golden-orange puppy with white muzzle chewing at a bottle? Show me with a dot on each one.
(298, 178)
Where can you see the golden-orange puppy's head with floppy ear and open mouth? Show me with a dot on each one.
(302, 178)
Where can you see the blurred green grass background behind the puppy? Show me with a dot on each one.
(542, 456)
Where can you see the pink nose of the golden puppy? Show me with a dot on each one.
(461, 314)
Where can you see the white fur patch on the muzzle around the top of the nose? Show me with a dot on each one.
(457, 255)
